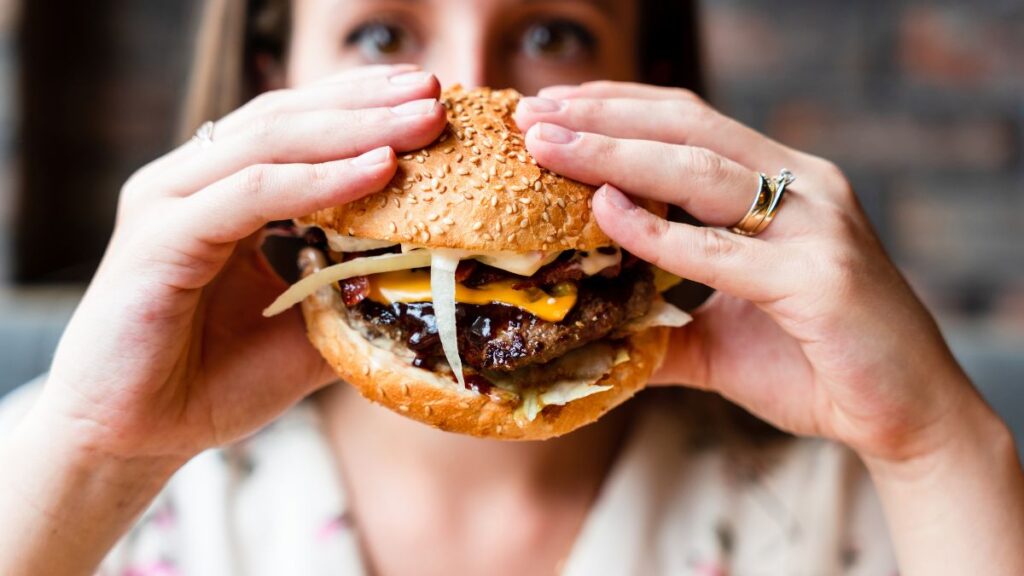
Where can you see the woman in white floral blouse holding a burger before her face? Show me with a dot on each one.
(813, 331)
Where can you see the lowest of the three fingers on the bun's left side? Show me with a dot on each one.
(243, 203)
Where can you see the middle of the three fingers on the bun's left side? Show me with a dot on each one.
(305, 138)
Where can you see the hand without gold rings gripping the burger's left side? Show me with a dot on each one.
(168, 353)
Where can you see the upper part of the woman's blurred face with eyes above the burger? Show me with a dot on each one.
(525, 45)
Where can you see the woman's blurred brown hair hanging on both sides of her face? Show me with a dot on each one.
(237, 39)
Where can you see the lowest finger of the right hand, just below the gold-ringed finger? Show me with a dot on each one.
(746, 268)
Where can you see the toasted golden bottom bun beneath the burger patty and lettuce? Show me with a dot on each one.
(389, 379)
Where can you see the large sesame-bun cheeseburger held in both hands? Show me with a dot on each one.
(477, 293)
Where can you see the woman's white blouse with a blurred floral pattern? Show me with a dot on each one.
(275, 505)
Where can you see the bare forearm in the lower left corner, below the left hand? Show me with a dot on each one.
(63, 506)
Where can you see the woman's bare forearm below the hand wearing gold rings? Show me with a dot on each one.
(960, 510)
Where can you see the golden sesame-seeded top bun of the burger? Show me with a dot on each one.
(476, 188)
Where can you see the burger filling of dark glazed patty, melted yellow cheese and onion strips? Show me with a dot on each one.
(533, 331)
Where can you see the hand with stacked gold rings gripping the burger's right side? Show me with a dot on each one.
(814, 328)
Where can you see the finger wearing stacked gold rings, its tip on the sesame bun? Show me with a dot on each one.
(713, 189)
